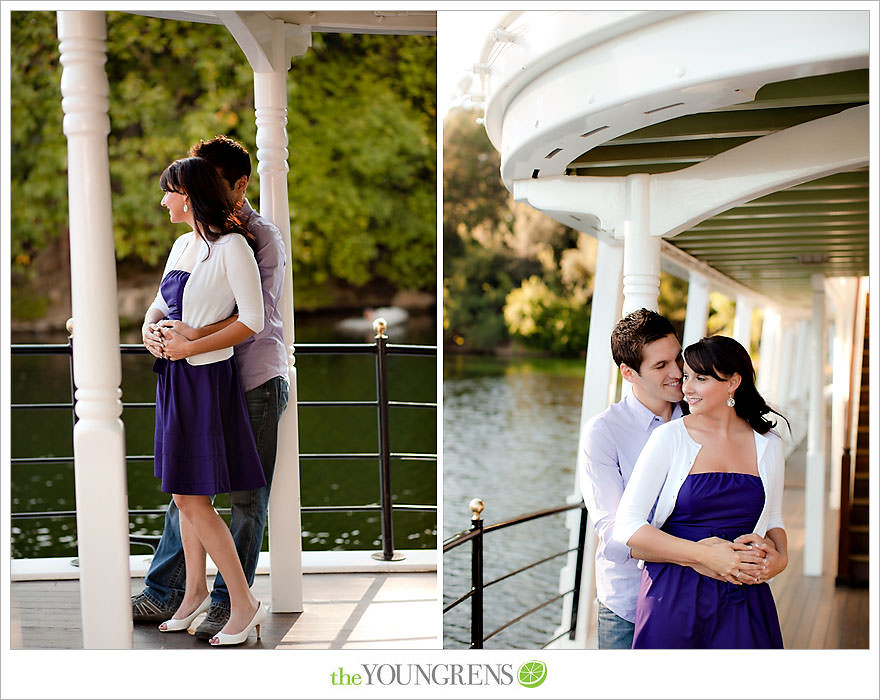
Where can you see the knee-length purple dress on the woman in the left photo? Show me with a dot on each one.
(204, 443)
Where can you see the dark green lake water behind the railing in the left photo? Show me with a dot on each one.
(49, 487)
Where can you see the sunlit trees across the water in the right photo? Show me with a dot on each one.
(510, 272)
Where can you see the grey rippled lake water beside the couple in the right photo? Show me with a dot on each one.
(510, 432)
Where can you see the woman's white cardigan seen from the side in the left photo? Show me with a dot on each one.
(228, 278)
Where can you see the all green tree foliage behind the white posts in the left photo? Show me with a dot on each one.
(361, 127)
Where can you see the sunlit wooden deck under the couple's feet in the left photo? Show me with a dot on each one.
(341, 611)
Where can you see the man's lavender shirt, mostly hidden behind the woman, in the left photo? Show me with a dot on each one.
(262, 357)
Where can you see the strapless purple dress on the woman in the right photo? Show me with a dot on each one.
(678, 608)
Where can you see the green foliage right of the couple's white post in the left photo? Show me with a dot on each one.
(364, 165)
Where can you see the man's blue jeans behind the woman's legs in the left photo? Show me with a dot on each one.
(166, 578)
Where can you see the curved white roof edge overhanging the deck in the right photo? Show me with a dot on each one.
(560, 83)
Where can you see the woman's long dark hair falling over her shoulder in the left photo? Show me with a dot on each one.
(213, 213)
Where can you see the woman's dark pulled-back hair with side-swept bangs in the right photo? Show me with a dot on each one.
(721, 357)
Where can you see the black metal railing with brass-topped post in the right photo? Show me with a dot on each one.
(475, 535)
